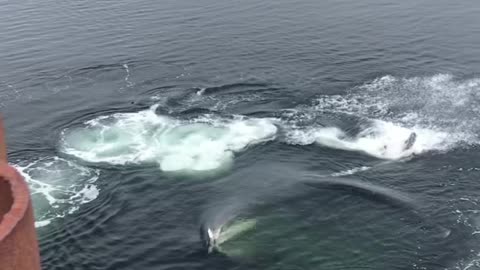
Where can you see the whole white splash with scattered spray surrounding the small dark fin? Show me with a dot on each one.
(442, 111)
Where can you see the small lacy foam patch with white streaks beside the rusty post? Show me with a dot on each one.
(58, 187)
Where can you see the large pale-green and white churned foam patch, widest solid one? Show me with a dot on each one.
(201, 144)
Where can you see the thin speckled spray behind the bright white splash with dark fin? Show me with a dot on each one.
(439, 101)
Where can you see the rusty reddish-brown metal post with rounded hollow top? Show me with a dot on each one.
(18, 239)
